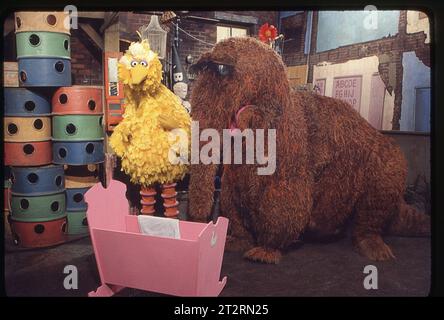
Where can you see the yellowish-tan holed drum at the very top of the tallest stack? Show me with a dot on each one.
(52, 21)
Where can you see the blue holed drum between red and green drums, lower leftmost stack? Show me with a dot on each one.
(38, 180)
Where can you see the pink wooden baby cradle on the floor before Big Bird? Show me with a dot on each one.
(189, 266)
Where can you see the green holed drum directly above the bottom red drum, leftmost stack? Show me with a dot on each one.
(38, 208)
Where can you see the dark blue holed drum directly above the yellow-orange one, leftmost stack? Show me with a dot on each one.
(22, 102)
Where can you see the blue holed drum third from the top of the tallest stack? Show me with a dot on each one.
(44, 72)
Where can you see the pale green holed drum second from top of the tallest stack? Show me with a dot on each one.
(43, 44)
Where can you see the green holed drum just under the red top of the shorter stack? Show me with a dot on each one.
(77, 128)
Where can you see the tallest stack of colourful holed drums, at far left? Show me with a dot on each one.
(38, 216)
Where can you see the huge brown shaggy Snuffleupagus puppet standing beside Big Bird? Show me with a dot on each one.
(330, 162)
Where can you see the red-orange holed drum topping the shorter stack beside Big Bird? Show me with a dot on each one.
(85, 100)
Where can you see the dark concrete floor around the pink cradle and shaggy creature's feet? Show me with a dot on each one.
(332, 269)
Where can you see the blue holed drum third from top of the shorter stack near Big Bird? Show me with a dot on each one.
(78, 152)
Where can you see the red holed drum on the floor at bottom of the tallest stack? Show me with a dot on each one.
(39, 234)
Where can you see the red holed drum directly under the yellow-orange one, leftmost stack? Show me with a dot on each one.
(28, 153)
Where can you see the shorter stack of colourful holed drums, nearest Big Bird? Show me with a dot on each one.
(78, 135)
